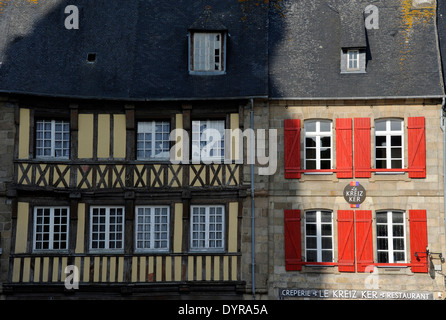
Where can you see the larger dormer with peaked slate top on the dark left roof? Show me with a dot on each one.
(207, 43)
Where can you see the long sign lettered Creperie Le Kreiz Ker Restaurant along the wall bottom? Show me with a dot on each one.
(354, 294)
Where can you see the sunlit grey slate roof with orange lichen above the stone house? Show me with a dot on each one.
(306, 38)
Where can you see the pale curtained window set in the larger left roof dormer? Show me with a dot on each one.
(207, 53)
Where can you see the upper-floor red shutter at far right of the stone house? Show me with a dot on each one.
(417, 146)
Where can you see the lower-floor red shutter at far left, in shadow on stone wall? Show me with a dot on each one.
(293, 247)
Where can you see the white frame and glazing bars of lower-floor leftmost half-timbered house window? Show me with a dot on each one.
(51, 229)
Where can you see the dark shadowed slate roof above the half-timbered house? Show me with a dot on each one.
(141, 49)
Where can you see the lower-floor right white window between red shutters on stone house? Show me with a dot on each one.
(391, 237)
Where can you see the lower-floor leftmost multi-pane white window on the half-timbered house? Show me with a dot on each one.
(51, 228)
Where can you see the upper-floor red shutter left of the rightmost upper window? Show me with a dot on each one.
(362, 148)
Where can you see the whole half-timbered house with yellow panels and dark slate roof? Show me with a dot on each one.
(106, 199)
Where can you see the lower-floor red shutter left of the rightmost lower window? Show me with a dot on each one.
(364, 239)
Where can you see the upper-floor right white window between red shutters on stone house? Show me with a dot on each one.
(389, 144)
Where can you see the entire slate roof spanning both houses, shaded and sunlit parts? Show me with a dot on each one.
(291, 51)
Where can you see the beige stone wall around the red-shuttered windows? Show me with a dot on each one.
(274, 194)
